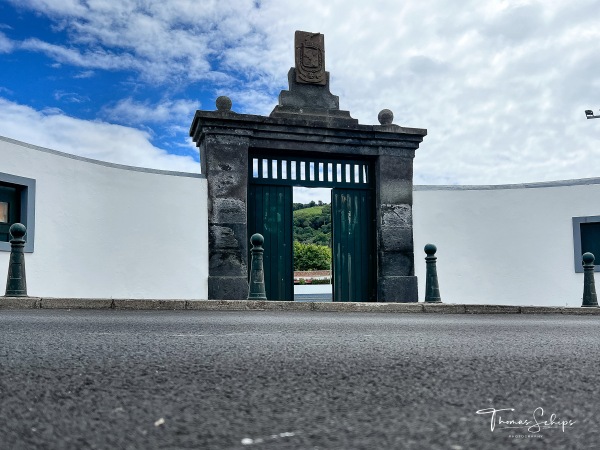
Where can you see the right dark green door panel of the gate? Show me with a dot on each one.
(353, 247)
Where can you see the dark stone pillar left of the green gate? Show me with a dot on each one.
(225, 160)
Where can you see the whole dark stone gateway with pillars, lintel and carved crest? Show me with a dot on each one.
(307, 122)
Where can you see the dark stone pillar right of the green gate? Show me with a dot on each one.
(396, 278)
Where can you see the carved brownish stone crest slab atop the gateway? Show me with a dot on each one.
(310, 58)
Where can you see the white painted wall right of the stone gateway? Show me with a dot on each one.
(508, 245)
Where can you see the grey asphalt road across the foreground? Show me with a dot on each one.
(269, 380)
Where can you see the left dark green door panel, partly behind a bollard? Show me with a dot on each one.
(270, 214)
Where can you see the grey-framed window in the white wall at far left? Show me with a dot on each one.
(17, 204)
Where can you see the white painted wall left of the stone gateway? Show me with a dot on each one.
(105, 230)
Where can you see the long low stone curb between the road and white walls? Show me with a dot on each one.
(255, 305)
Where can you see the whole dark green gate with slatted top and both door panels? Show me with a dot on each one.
(270, 214)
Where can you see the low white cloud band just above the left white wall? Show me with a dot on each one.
(98, 140)
